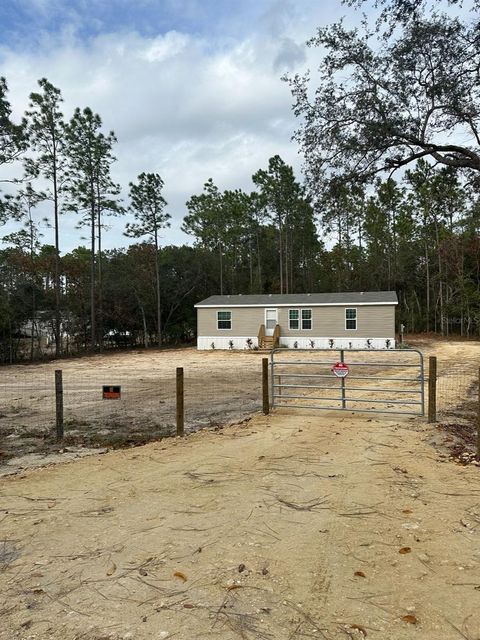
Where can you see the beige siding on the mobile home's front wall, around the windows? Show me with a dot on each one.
(372, 321)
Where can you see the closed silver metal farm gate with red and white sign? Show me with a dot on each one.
(380, 381)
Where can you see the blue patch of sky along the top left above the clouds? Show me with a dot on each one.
(25, 23)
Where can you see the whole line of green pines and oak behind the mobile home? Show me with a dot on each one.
(410, 103)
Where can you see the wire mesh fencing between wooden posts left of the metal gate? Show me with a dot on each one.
(144, 411)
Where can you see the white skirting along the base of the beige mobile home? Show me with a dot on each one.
(231, 342)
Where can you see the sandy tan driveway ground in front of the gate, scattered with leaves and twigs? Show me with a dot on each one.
(298, 524)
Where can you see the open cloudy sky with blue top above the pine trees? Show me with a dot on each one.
(191, 88)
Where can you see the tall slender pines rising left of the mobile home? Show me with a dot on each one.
(65, 164)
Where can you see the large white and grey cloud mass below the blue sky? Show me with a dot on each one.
(180, 105)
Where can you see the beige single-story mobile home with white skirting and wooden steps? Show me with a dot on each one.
(353, 320)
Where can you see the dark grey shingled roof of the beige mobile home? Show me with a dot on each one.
(302, 299)
